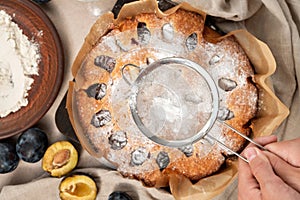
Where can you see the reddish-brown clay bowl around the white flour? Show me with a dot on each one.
(37, 26)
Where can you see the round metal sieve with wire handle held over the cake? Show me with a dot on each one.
(164, 98)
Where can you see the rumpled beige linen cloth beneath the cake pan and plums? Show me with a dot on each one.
(275, 22)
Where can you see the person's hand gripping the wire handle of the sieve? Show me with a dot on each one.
(270, 175)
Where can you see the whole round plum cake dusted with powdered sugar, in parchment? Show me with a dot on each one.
(104, 84)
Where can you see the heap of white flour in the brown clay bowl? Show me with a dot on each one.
(19, 58)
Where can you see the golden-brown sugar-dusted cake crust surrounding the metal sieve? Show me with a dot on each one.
(225, 60)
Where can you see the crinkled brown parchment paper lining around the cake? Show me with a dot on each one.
(271, 111)
